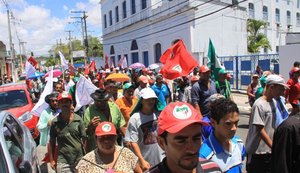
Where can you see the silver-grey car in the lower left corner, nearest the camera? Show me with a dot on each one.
(17, 147)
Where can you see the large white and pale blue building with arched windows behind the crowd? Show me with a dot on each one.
(143, 29)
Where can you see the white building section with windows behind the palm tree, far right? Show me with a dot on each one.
(282, 16)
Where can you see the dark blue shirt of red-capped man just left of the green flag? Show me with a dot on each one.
(200, 93)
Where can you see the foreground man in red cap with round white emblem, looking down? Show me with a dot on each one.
(179, 135)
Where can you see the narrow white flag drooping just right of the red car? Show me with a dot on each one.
(41, 105)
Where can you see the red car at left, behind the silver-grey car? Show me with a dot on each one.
(16, 99)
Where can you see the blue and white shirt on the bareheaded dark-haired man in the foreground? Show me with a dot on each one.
(229, 162)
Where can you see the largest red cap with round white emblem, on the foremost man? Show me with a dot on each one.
(177, 116)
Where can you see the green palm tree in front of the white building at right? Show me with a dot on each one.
(256, 39)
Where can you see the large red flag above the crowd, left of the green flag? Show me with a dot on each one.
(177, 61)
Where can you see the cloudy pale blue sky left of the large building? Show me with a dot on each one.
(40, 29)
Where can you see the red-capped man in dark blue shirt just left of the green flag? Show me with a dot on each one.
(202, 90)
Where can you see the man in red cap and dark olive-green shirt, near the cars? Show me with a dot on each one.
(68, 131)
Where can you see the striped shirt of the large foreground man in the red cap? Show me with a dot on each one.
(204, 166)
